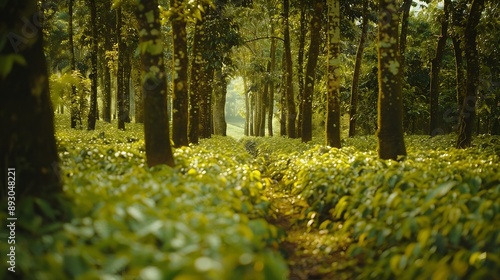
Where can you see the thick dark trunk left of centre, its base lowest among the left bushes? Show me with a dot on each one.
(154, 85)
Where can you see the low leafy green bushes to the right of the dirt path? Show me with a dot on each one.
(435, 215)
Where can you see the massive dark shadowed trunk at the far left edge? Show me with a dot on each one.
(27, 146)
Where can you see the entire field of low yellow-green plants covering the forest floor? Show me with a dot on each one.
(265, 208)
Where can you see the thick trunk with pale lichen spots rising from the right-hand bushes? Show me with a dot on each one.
(390, 101)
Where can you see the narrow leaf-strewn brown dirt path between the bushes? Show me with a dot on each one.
(310, 253)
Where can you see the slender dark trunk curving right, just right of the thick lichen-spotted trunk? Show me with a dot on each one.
(435, 69)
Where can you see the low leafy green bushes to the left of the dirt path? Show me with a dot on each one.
(199, 220)
